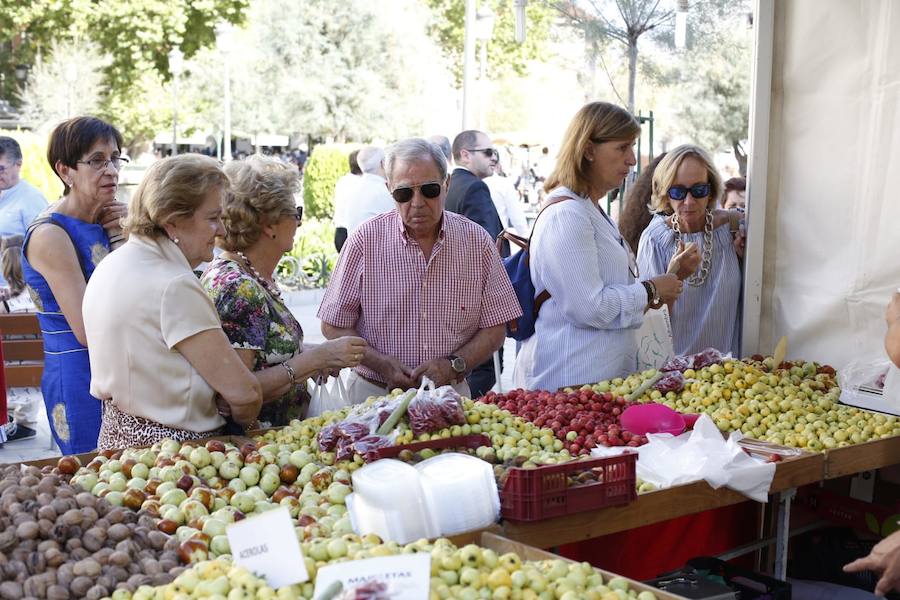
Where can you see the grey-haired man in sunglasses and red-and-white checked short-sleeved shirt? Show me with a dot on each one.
(424, 287)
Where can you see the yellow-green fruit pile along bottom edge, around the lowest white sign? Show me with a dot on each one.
(467, 572)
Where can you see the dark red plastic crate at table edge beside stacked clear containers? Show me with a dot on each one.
(543, 492)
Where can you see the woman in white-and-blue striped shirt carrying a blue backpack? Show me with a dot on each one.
(586, 328)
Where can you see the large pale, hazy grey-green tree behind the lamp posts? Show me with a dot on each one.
(331, 70)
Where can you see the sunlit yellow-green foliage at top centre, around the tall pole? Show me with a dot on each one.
(448, 29)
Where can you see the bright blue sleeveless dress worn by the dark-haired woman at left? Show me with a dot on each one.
(74, 414)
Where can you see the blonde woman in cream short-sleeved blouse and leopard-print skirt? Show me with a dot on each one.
(158, 353)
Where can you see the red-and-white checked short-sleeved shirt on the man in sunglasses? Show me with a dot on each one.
(416, 309)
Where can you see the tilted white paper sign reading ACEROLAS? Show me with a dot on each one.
(266, 545)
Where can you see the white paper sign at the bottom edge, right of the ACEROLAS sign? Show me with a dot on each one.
(404, 577)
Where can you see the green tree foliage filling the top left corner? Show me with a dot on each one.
(136, 36)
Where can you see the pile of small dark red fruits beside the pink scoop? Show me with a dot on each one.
(580, 419)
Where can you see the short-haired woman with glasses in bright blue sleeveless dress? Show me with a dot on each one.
(62, 248)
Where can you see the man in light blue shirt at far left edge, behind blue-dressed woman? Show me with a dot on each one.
(20, 202)
